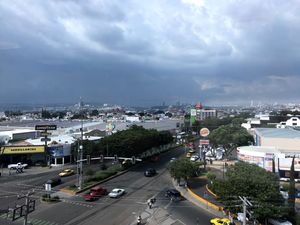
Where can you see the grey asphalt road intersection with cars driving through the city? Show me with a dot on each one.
(124, 210)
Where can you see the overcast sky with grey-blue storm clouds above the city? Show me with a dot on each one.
(142, 52)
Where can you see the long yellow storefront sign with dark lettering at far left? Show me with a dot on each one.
(22, 149)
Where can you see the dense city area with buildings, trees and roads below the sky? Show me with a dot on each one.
(182, 162)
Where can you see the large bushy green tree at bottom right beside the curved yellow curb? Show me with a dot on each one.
(260, 186)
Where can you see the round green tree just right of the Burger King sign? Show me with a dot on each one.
(229, 137)
